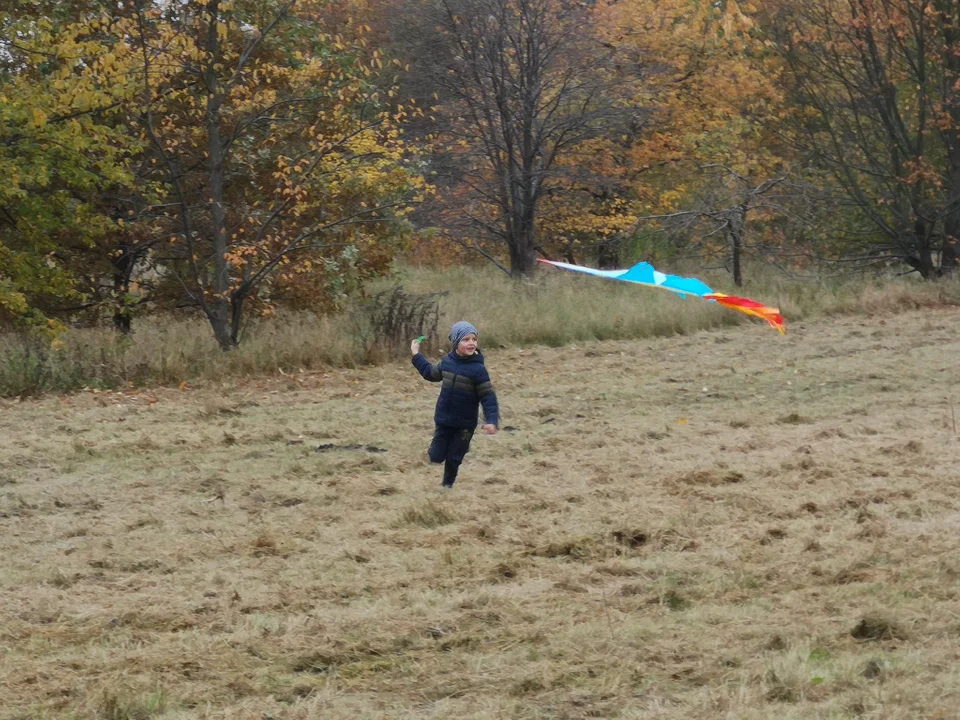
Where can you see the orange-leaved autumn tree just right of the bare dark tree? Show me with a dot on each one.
(705, 162)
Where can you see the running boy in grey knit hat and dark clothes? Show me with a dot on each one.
(465, 386)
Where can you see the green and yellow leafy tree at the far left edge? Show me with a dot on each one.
(64, 152)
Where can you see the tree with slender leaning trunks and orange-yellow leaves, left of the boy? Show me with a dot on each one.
(282, 157)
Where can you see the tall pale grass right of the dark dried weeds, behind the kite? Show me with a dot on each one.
(560, 307)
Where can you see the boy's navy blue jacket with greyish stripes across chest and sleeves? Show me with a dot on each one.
(465, 386)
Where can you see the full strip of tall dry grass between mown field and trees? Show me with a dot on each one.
(557, 309)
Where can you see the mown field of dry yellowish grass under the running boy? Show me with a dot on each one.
(726, 524)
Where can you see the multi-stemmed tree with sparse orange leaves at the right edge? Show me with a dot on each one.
(877, 84)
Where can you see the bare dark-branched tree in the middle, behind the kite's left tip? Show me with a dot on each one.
(522, 85)
